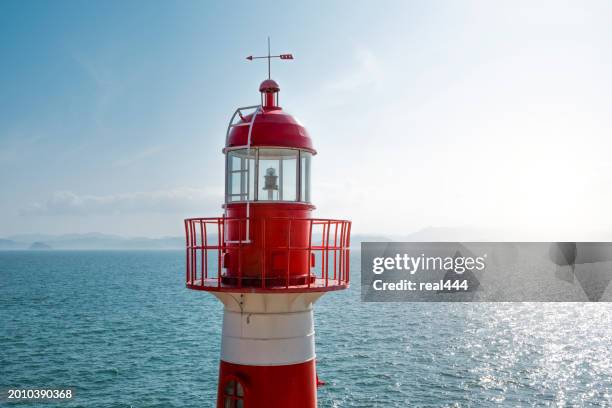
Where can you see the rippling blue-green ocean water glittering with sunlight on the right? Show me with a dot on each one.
(121, 329)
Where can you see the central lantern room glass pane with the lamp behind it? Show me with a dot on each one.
(277, 175)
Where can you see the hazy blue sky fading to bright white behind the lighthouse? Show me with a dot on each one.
(454, 114)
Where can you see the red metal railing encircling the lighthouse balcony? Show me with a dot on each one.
(318, 248)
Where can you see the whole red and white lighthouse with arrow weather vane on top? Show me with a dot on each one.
(267, 259)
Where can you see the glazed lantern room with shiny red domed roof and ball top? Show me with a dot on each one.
(268, 154)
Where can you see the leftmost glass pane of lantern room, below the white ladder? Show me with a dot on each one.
(240, 175)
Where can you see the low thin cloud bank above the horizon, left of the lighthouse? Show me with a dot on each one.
(161, 201)
